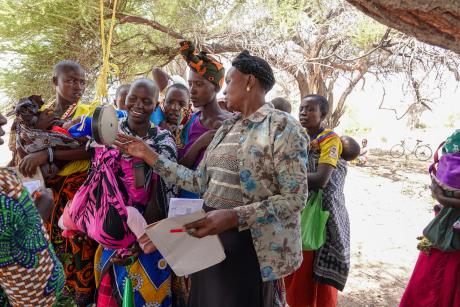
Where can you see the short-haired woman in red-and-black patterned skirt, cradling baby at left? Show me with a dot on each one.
(68, 166)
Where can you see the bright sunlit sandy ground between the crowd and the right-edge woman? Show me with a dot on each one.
(389, 204)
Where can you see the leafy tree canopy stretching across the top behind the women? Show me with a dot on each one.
(314, 45)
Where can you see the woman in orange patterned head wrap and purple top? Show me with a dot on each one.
(205, 80)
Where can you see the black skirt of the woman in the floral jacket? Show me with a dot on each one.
(236, 281)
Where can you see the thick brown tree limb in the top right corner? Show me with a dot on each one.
(433, 22)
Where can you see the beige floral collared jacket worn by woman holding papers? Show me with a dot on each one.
(272, 156)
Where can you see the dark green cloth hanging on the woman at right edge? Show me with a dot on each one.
(440, 231)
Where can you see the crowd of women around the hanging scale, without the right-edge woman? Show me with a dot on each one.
(251, 163)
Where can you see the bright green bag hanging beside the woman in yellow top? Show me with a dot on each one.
(313, 222)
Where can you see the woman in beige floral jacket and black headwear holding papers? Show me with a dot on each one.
(253, 179)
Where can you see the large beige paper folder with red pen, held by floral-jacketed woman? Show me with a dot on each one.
(185, 254)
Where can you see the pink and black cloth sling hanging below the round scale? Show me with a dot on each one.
(99, 207)
